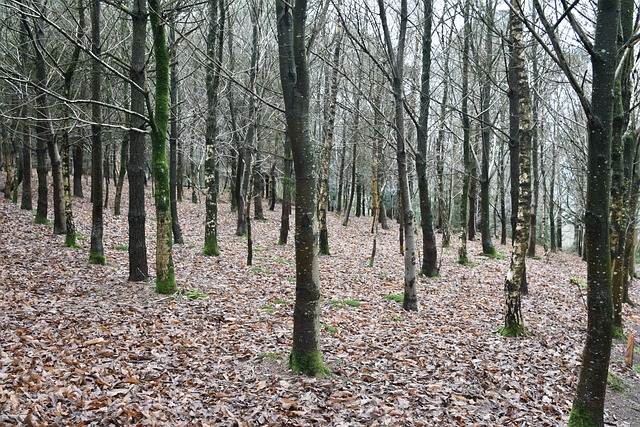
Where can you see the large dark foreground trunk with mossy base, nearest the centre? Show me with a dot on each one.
(306, 356)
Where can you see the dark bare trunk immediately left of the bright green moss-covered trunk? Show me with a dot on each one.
(138, 266)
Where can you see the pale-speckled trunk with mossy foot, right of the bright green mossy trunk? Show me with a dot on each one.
(214, 62)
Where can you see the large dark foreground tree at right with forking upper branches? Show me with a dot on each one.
(588, 403)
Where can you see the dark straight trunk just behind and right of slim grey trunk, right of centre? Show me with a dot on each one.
(429, 265)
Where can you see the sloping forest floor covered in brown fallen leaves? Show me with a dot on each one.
(79, 345)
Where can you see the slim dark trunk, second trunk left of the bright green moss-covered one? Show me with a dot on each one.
(96, 252)
